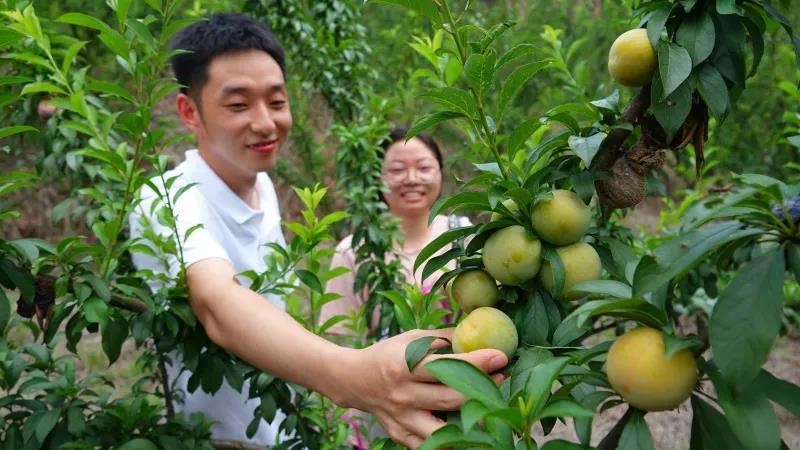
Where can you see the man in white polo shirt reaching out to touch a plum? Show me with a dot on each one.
(235, 103)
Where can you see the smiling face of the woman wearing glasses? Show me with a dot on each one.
(414, 177)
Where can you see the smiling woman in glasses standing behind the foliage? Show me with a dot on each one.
(412, 172)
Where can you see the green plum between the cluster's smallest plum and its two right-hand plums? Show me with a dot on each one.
(512, 255)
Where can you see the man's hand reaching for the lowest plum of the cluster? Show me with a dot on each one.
(403, 401)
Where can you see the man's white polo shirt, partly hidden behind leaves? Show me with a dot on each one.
(233, 231)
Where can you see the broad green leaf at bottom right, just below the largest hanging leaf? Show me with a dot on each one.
(749, 414)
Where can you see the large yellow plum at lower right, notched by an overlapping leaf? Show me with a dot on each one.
(639, 370)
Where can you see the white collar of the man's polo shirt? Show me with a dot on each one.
(218, 192)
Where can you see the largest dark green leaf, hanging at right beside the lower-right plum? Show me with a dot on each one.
(747, 318)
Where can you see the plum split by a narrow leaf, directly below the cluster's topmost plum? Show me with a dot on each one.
(581, 263)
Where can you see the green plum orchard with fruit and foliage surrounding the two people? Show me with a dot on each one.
(565, 123)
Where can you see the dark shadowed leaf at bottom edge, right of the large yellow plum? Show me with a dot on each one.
(709, 429)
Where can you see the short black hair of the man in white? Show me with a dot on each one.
(218, 35)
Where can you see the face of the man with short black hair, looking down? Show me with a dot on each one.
(243, 118)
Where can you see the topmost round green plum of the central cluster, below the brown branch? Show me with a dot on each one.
(561, 220)
